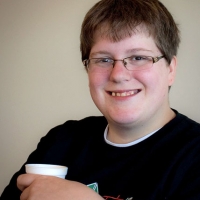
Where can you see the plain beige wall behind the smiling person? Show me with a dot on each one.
(43, 82)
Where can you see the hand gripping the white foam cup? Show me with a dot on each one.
(39, 187)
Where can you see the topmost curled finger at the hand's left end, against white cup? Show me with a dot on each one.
(24, 180)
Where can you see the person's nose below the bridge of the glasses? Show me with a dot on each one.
(119, 72)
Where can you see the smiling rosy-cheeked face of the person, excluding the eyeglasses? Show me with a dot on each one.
(149, 102)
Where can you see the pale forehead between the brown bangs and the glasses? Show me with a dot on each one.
(139, 41)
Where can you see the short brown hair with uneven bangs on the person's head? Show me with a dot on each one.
(121, 19)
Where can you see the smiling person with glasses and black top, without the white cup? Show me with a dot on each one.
(141, 148)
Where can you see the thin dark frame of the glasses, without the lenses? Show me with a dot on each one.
(154, 60)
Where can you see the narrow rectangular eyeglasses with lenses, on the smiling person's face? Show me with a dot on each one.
(132, 63)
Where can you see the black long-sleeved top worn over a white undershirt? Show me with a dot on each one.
(164, 166)
